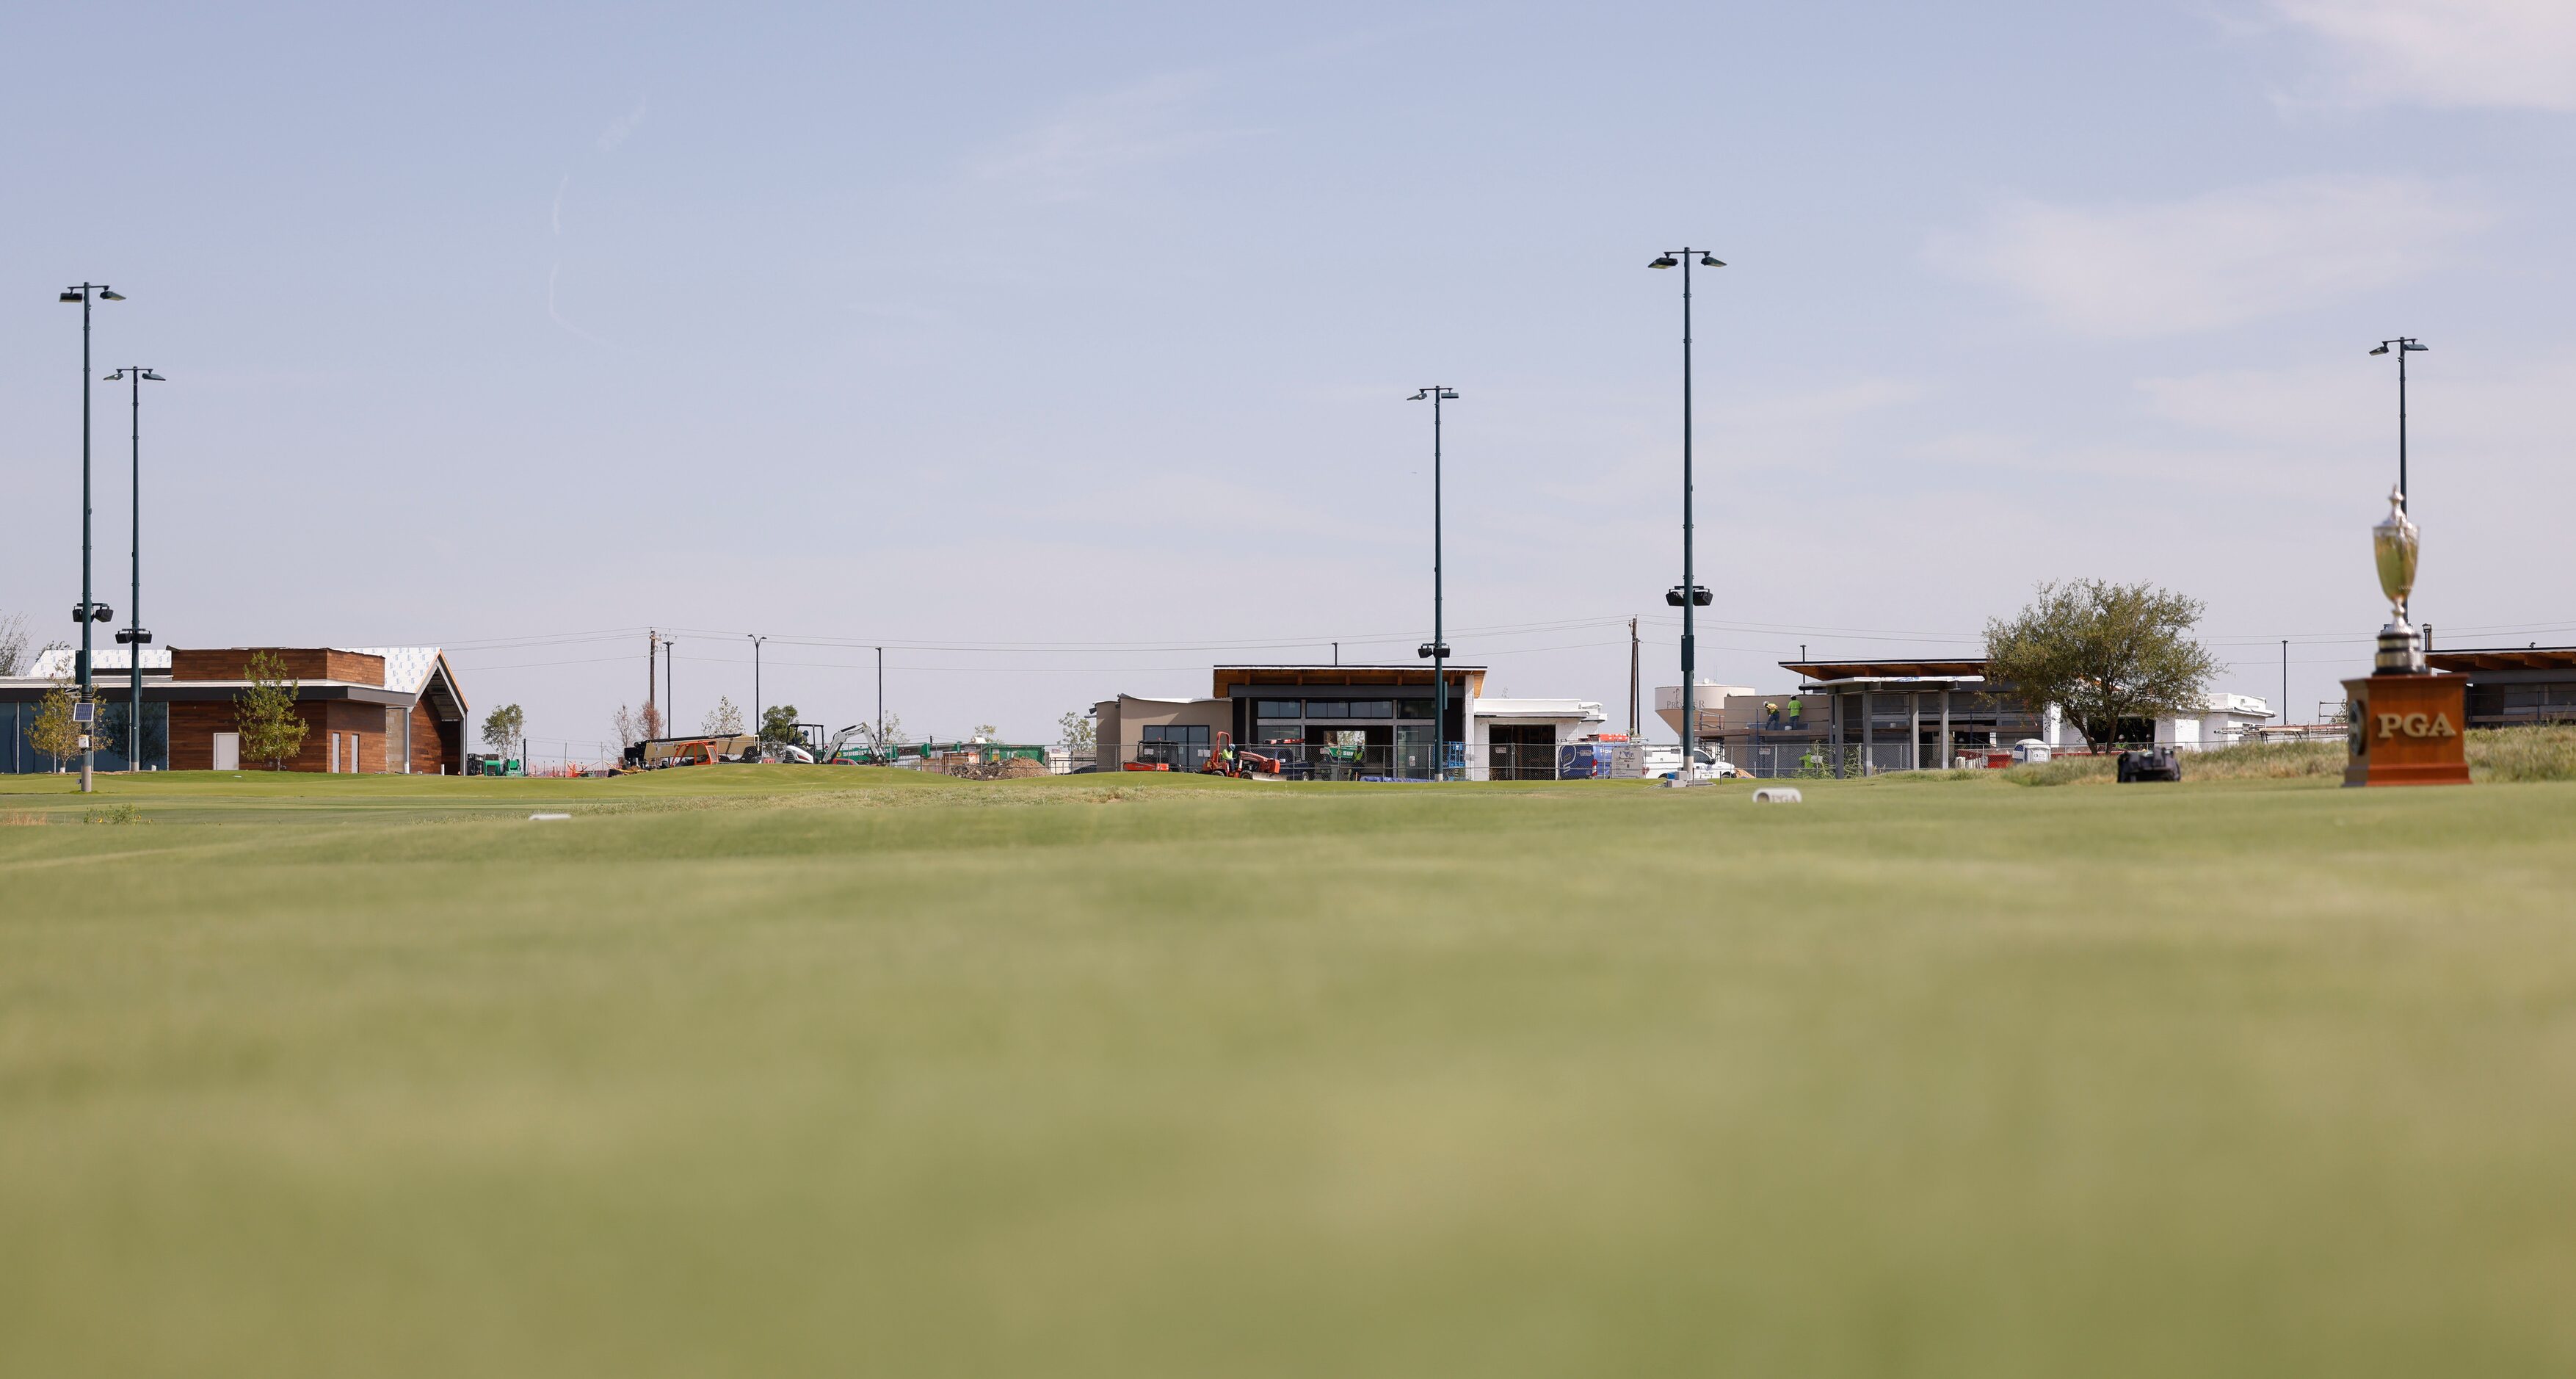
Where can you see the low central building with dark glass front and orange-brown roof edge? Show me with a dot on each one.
(1349, 723)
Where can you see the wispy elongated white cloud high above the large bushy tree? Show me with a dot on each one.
(2214, 259)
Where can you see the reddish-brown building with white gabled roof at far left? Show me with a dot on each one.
(367, 710)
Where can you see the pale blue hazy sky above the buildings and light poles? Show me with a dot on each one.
(1065, 352)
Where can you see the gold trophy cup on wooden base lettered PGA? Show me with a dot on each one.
(2405, 720)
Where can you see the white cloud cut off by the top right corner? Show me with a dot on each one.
(2446, 53)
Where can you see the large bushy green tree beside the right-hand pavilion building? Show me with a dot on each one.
(2103, 653)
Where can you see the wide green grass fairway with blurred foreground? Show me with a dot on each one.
(808, 1071)
